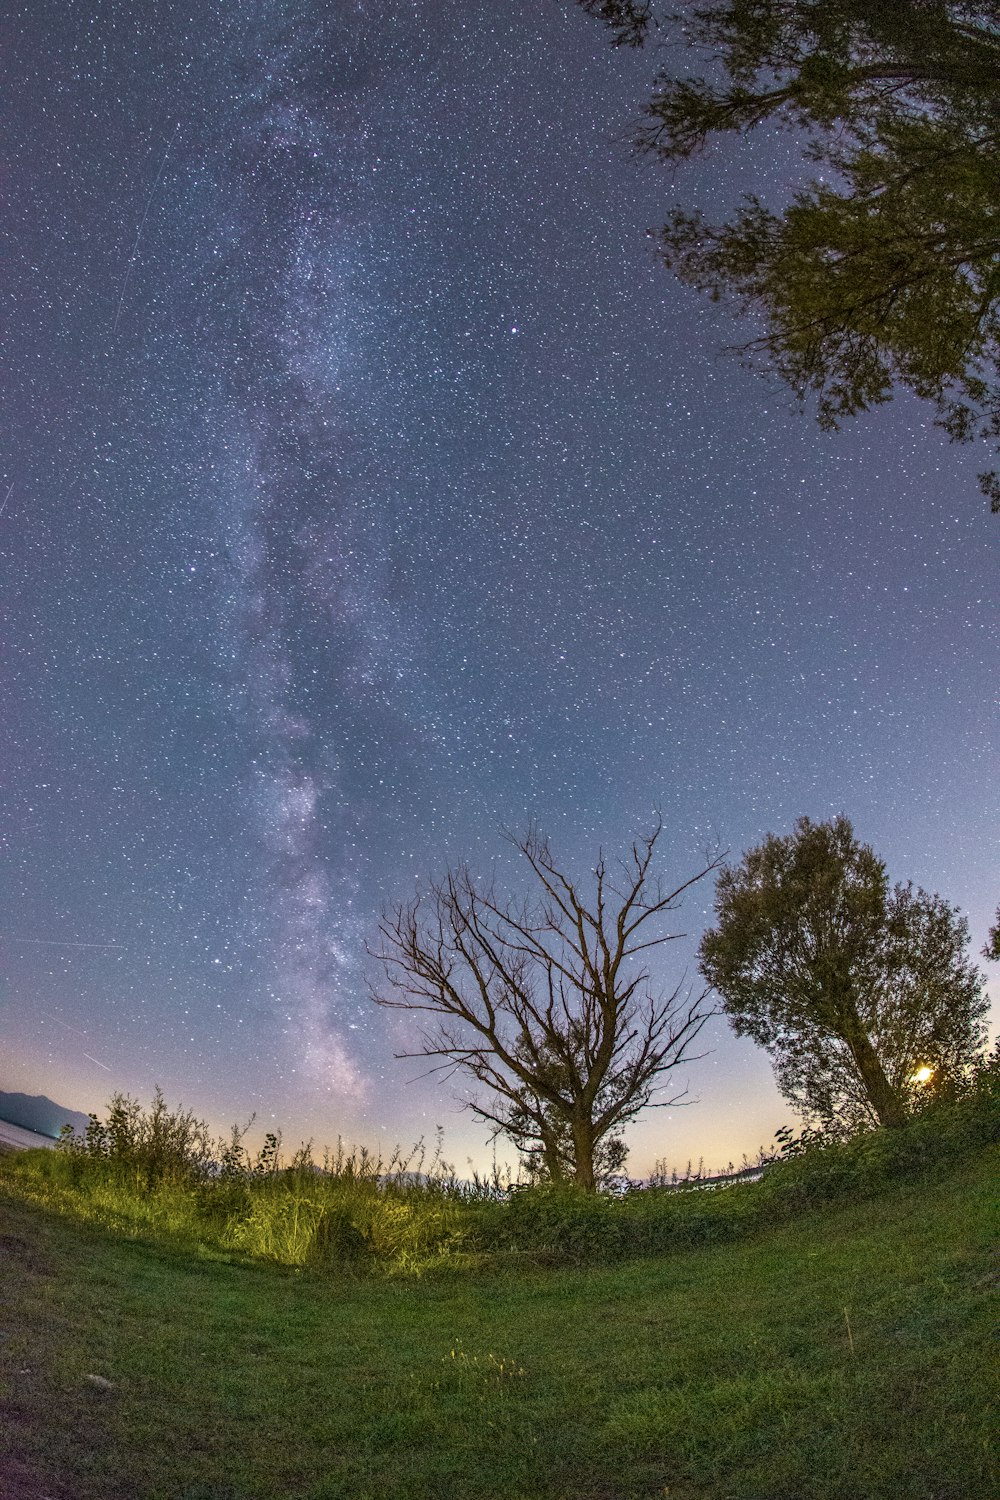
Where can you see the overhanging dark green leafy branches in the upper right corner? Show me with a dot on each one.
(885, 269)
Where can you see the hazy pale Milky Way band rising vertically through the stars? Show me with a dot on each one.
(308, 611)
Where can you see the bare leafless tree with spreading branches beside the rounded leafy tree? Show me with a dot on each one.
(548, 1003)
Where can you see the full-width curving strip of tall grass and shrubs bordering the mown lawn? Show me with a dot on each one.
(158, 1174)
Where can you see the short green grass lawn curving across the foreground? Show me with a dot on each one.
(845, 1354)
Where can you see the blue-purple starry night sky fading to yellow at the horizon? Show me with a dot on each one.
(371, 487)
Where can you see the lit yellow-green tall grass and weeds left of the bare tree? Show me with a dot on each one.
(160, 1174)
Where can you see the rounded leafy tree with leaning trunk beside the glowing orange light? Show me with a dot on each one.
(852, 988)
